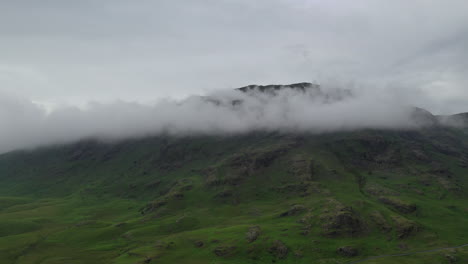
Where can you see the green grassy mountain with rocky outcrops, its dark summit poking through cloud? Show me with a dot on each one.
(258, 197)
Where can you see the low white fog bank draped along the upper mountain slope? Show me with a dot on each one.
(297, 108)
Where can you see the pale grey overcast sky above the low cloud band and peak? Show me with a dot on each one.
(56, 51)
